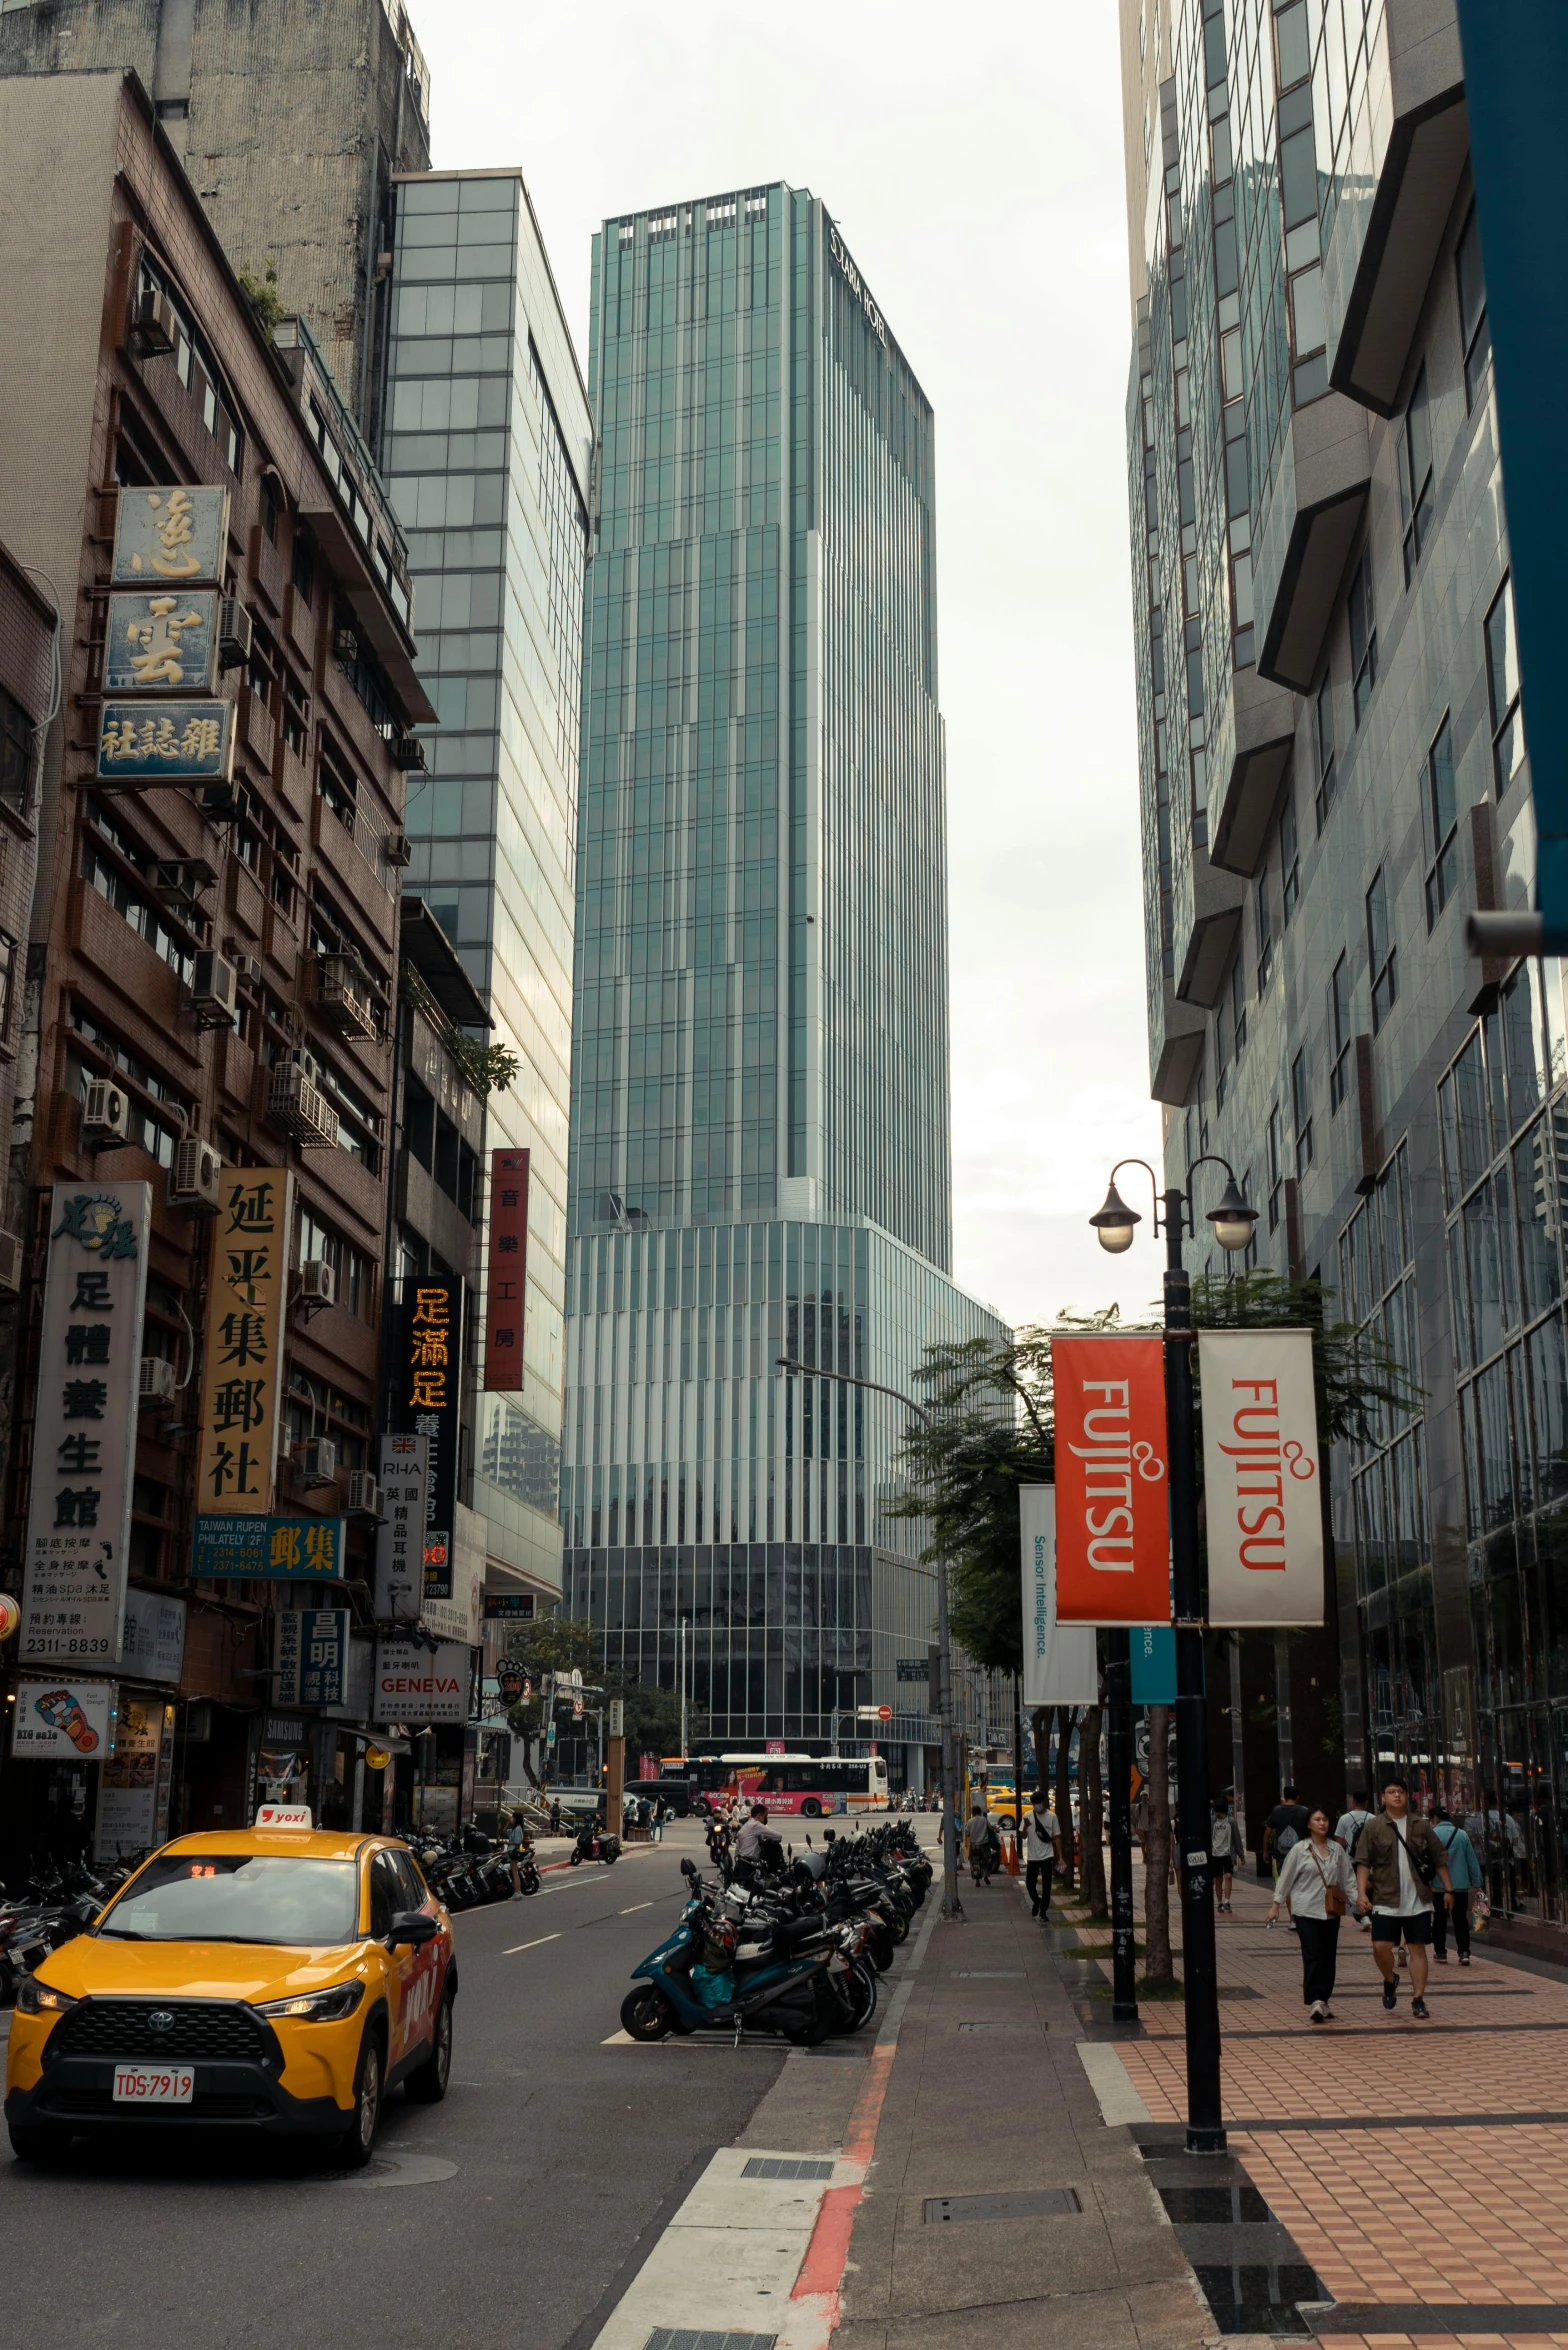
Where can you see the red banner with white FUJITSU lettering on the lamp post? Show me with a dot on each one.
(1113, 1493)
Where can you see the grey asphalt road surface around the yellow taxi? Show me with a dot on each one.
(551, 2156)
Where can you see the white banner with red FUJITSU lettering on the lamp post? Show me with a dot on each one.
(1261, 1477)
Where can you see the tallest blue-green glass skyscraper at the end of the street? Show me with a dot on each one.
(760, 1122)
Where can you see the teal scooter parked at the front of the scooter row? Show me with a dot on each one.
(674, 1992)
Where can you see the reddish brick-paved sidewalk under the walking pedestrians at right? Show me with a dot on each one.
(1414, 2163)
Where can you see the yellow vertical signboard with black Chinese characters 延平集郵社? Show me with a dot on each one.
(250, 1277)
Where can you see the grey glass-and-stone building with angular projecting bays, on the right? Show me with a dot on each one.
(1332, 777)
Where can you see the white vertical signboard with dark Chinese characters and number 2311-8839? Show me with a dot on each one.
(86, 1430)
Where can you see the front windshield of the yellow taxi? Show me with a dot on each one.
(239, 1898)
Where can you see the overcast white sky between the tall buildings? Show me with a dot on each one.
(974, 166)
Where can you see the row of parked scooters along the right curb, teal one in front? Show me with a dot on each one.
(796, 1954)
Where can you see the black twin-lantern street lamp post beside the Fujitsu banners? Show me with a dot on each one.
(1233, 1226)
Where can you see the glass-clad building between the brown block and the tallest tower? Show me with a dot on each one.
(488, 452)
